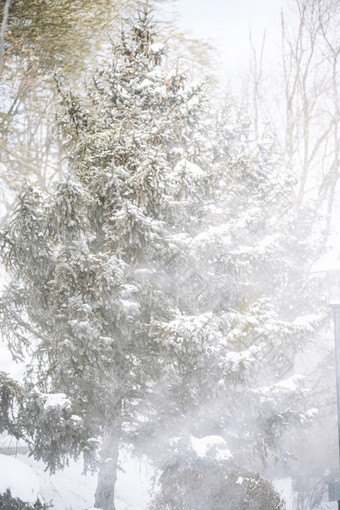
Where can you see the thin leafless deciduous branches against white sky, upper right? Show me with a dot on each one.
(304, 112)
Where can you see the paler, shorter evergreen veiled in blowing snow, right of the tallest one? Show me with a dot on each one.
(249, 309)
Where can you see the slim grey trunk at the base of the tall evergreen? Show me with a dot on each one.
(107, 475)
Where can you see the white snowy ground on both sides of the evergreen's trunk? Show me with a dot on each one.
(69, 489)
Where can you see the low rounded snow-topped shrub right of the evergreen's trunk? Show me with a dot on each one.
(206, 484)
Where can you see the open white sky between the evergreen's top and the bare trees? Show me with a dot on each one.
(228, 23)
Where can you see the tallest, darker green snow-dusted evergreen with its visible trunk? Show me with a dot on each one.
(92, 263)
